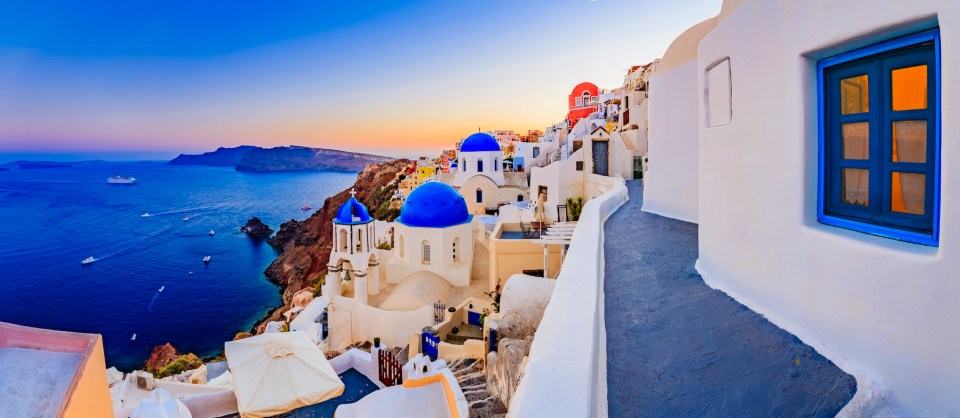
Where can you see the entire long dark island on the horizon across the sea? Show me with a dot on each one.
(290, 158)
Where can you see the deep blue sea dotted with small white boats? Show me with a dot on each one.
(51, 219)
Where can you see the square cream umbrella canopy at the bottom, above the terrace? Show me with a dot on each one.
(278, 372)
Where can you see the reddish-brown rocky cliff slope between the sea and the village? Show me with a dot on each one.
(305, 245)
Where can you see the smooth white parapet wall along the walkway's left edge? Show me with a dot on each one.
(566, 374)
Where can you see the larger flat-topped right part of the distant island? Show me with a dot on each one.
(295, 158)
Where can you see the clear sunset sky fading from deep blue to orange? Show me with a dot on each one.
(150, 80)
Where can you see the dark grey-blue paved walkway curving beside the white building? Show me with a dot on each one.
(677, 348)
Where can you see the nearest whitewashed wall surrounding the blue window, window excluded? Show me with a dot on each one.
(883, 310)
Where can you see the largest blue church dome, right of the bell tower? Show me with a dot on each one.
(434, 205)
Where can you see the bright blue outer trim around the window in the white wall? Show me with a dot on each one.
(931, 239)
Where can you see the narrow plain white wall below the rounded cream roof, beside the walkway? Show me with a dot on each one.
(670, 185)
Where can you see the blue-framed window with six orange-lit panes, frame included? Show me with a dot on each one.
(879, 148)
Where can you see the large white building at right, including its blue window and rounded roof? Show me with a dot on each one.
(819, 169)
